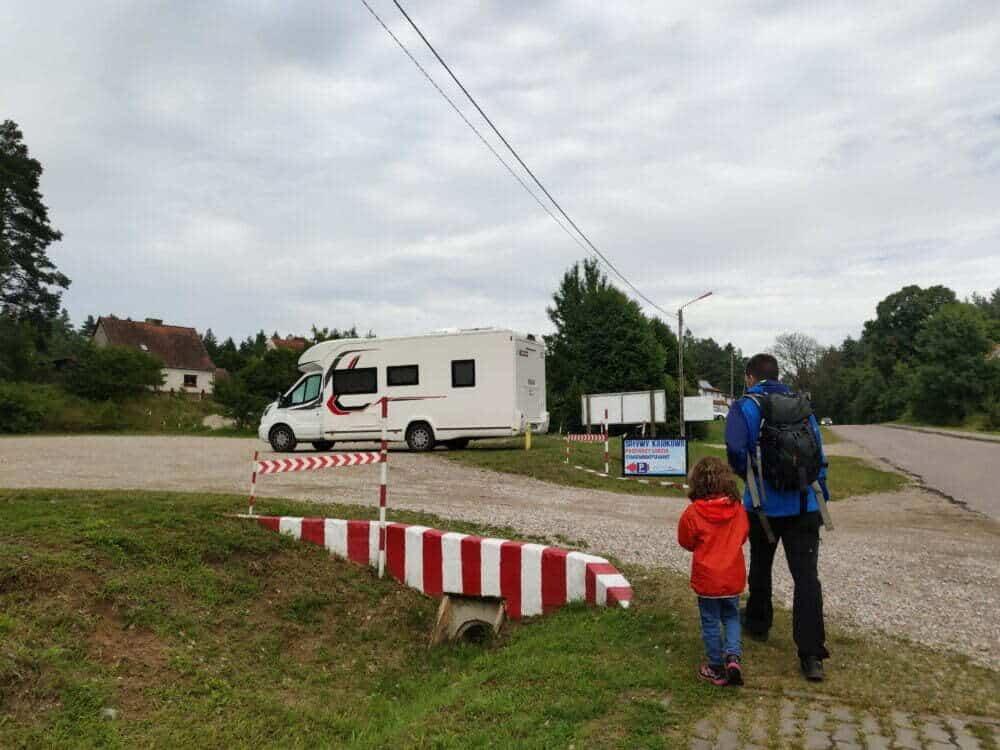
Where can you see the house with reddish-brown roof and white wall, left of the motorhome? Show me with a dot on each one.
(187, 367)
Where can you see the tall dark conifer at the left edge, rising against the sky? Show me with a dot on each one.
(29, 281)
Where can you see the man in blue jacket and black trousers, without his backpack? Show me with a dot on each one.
(793, 518)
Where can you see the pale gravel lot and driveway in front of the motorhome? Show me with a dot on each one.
(909, 562)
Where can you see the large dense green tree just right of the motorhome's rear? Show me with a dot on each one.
(602, 342)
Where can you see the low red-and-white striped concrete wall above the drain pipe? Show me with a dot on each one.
(532, 578)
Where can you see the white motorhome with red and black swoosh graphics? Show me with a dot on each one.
(472, 383)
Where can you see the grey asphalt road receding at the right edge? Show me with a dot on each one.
(963, 470)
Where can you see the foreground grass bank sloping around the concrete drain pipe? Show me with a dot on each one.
(207, 631)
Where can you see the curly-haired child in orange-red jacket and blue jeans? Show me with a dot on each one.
(715, 526)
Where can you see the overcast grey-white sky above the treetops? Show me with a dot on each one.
(269, 165)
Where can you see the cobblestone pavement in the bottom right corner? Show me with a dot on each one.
(793, 721)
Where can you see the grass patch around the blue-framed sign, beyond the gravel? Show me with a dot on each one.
(849, 477)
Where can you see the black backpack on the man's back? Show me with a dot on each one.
(789, 453)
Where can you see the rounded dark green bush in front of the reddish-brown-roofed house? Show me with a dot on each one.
(113, 372)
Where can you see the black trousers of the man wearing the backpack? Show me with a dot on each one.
(799, 535)
